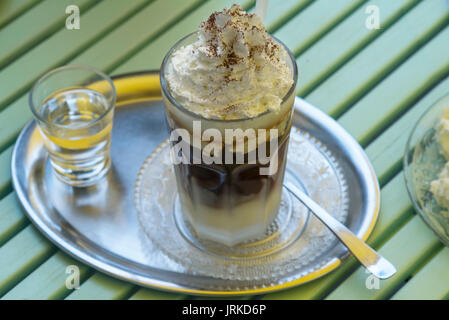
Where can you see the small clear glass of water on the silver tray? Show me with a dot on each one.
(73, 107)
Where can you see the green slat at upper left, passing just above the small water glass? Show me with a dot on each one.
(62, 46)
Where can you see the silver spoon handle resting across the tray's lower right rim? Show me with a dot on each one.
(375, 263)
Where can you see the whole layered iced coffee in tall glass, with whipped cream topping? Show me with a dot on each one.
(229, 90)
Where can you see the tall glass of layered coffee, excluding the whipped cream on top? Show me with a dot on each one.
(230, 203)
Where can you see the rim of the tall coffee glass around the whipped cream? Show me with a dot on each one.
(166, 91)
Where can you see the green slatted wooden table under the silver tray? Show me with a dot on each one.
(375, 82)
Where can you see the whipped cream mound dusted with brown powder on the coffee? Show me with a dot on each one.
(234, 70)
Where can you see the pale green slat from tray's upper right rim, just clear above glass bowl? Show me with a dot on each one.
(399, 90)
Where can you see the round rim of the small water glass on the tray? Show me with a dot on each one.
(48, 74)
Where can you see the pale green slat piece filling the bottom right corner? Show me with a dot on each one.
(430, 283)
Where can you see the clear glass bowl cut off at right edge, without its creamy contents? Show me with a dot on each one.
(423, 162)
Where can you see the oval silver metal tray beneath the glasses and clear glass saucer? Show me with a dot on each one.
(99, 226)
